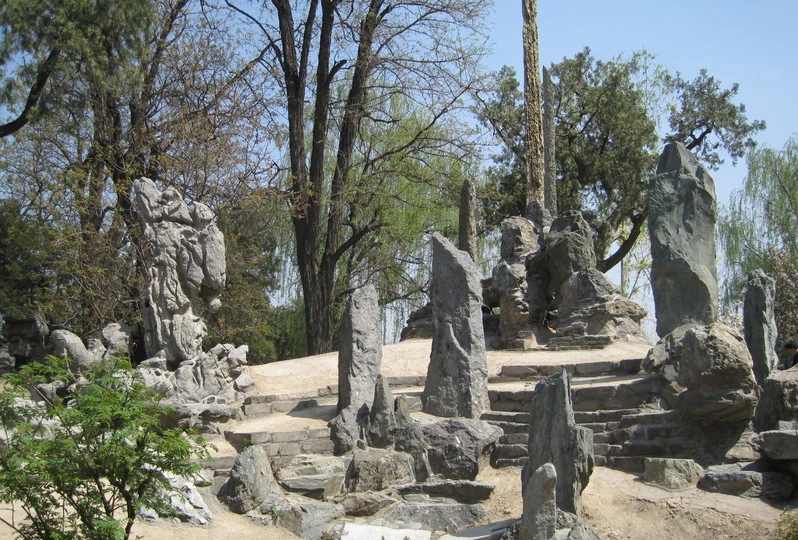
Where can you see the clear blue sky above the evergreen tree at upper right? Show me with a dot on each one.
(753, 44)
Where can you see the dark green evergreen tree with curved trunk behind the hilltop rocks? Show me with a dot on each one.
(607, 113)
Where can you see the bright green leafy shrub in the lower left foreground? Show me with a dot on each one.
(81, 467)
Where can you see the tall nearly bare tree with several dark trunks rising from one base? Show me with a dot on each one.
(342, 67)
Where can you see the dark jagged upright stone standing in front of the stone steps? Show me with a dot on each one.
(555, 438)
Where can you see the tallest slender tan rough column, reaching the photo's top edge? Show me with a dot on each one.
(532, 104)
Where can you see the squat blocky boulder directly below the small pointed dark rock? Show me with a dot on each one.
(376, 469)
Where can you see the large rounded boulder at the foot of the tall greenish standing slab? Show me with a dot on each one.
(706, 372)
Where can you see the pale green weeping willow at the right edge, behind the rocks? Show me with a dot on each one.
(758, 230)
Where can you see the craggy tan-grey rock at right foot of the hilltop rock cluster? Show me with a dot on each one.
(593, 306)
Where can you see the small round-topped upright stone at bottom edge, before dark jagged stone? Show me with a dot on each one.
(539, 518)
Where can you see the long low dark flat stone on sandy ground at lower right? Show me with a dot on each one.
(732, 480)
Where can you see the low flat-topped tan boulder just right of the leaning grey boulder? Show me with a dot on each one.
(316, 476)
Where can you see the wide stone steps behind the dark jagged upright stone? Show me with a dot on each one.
(612, 398)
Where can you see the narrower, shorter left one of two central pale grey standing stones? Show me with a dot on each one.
(359, 362)
